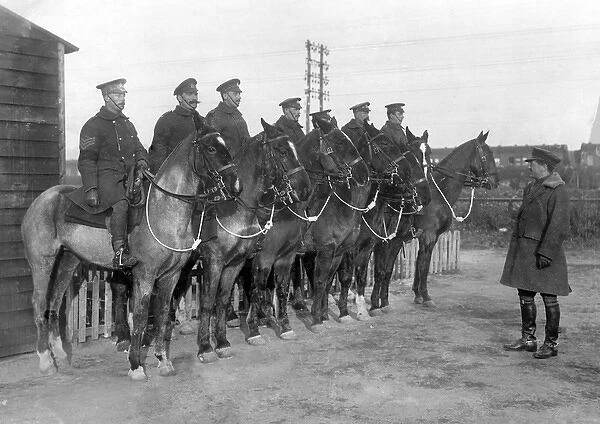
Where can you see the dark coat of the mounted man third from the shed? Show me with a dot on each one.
(230, 123)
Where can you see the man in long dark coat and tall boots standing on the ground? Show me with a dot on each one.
(536, 262)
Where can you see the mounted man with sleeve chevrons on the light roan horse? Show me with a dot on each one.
(108, 148)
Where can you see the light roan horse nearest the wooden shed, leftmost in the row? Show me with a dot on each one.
(54, 248)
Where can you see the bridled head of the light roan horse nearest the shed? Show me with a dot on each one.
(213, 164)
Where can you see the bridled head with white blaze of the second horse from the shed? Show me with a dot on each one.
(285, 179)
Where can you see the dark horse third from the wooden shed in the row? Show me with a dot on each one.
(328, 156)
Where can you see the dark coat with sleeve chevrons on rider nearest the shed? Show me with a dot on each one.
(108, 148)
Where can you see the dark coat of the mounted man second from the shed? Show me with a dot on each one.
(170, 129)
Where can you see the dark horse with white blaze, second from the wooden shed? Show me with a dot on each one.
(273, 178)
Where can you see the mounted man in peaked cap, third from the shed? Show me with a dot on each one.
(227, 119)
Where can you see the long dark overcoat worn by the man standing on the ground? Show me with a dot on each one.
(542, 226)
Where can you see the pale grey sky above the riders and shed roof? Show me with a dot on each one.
(529, 72)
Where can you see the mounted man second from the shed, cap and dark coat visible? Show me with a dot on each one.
(175, 125)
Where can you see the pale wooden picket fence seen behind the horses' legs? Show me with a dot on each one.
(89, 317)
